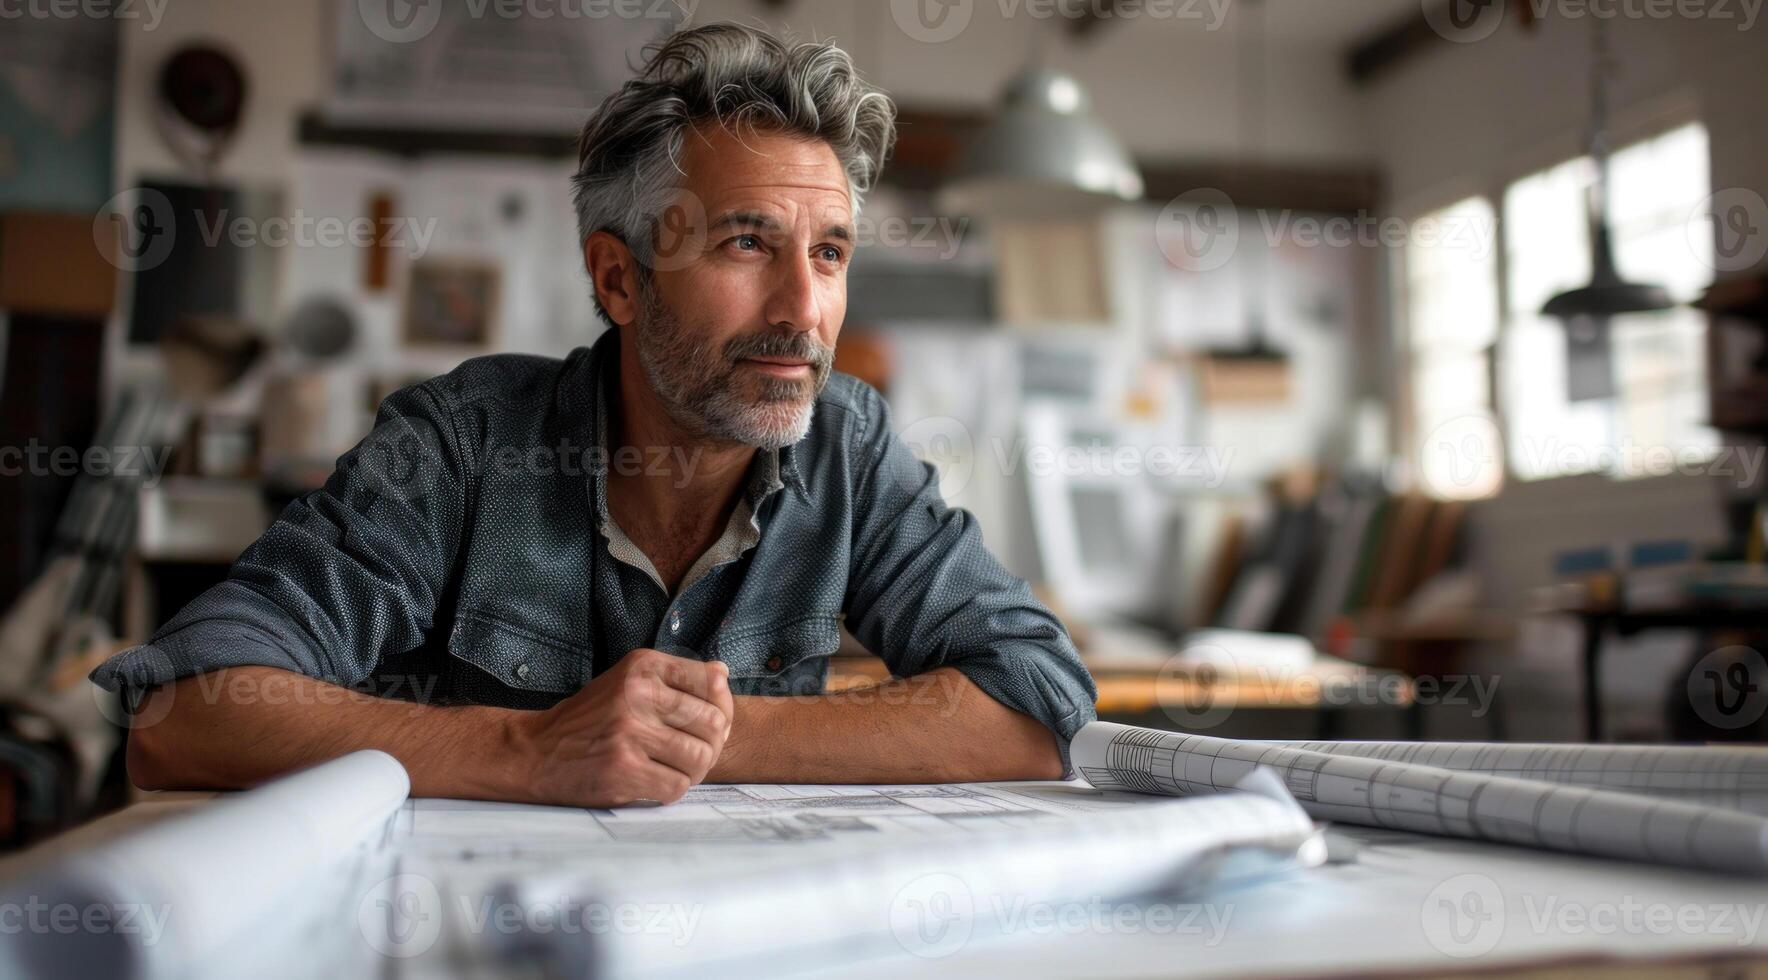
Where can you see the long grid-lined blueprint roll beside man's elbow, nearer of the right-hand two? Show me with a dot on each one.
(1431, 800)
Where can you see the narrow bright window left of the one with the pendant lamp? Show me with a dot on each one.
(1452, 323)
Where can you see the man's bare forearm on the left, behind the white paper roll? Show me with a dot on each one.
(238, 728)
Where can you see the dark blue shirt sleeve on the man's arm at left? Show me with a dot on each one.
(344, 578)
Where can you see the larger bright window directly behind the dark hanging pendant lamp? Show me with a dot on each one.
(1661, 234)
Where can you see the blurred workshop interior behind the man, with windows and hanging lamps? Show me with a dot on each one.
(1373, 369)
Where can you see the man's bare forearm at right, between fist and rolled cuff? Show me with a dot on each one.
(933, 728)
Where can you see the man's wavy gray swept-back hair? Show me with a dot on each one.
(738, 77)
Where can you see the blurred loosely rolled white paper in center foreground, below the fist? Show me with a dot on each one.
(887, 871)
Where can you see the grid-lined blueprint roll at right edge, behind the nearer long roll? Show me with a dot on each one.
(1734, 777)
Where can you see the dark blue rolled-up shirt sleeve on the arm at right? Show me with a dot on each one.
(924, 592)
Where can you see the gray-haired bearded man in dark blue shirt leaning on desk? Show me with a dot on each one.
(613, 578)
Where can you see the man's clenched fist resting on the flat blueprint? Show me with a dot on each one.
(648, 730)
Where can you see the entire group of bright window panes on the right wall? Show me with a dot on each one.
(1456, 323)
